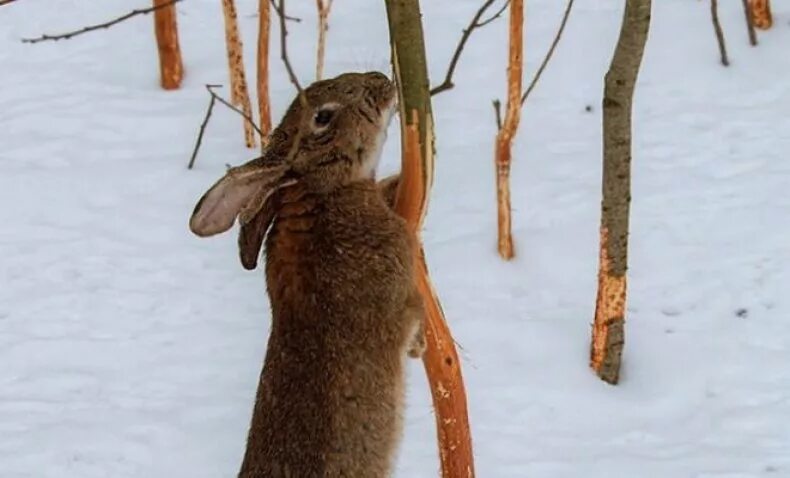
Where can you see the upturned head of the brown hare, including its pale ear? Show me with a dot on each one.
(330, 137)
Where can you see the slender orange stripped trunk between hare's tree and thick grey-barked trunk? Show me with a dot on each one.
(504, 139)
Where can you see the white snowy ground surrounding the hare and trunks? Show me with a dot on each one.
(130, 348)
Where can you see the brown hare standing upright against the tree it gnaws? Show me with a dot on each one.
(339, 269)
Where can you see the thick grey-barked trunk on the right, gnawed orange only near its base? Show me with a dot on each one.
(608, 328)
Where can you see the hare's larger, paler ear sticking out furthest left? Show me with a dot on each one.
(243, 190)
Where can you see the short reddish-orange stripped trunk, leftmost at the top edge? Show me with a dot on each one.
(171, 67)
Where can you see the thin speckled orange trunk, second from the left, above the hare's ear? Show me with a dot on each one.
(238, 84)
